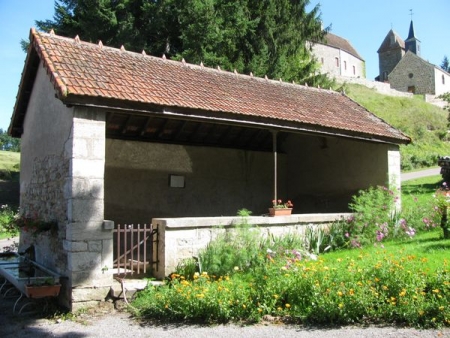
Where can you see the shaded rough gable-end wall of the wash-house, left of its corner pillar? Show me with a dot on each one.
(44, 173)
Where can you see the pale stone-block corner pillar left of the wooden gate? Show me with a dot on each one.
(89, 246)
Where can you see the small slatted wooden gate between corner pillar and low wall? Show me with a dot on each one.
(135, 250)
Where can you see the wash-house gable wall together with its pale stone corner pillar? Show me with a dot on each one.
(62, 170)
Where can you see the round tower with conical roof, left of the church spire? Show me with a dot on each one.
(390, 53)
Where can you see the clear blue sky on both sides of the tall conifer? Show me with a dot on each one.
(364, 23)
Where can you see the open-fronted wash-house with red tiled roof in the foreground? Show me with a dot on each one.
(108, 134)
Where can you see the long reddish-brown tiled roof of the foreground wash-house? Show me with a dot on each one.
(83, 71)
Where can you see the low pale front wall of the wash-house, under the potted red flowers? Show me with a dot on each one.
(181, 238)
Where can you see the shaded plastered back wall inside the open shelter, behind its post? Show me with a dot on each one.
(217, 181)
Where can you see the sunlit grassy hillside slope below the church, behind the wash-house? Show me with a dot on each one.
(425, 123)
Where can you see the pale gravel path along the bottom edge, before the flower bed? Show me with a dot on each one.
(107, 322)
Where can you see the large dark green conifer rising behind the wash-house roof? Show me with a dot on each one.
(263, 37)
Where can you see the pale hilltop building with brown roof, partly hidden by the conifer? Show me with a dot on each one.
(338, 58)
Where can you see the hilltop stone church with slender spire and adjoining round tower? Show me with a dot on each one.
(401, 65)
